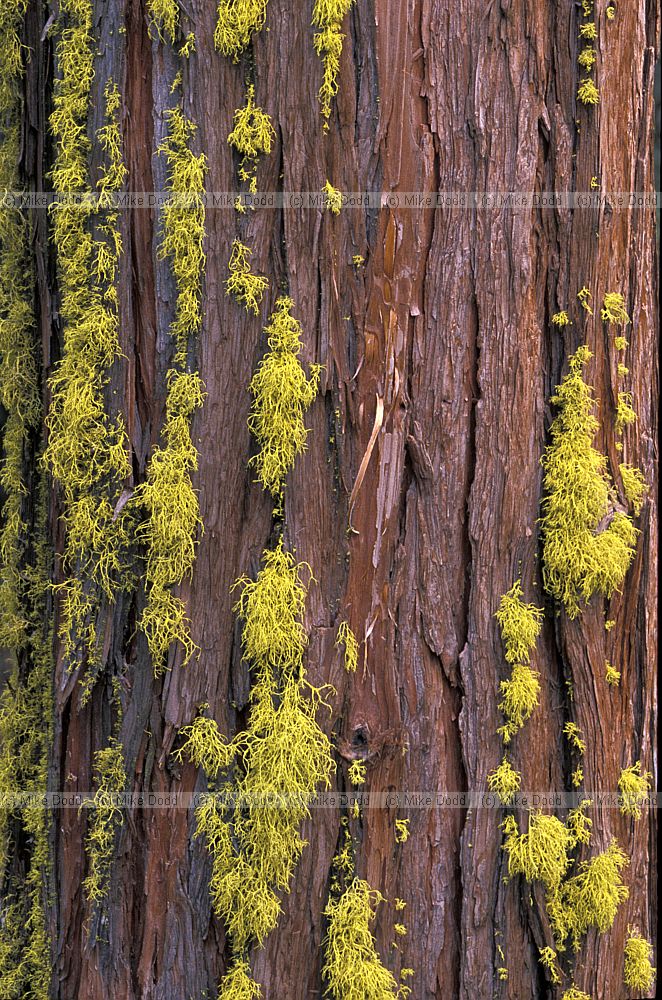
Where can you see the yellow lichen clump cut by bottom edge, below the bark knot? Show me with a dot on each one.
(352, 968)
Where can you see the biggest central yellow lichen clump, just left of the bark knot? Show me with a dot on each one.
(280, 759)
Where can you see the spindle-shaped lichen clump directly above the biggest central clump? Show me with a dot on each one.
(281, 395)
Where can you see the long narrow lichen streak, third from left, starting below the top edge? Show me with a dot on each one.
(167, 496)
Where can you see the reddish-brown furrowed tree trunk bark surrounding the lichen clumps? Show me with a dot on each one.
(443, 334)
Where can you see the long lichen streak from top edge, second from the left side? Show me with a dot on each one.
(87, 449)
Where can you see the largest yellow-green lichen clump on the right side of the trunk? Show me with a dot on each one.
(587, 544)
